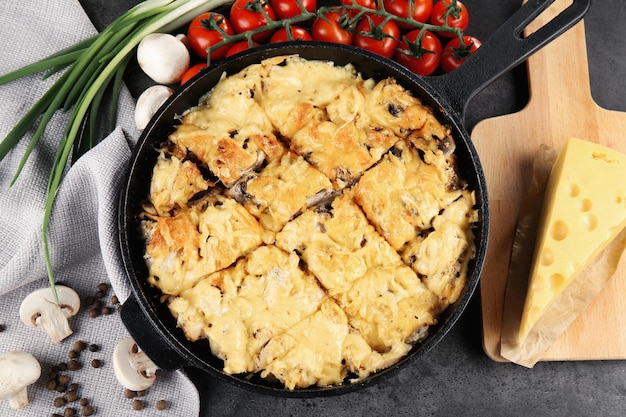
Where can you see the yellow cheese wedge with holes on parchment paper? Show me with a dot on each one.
(584, 209)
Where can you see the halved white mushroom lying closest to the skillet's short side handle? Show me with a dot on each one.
(133, 369)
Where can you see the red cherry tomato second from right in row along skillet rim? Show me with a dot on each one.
(422, 59)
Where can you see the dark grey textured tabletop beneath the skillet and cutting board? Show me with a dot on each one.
(457, 378)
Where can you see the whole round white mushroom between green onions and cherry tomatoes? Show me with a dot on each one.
(163, 57)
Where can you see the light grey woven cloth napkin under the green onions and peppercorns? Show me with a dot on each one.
(82, 234)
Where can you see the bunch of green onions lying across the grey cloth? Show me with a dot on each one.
(91, 67)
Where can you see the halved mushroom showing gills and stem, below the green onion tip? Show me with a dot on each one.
(39, 309)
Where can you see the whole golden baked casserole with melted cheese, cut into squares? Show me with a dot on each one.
(309, 223)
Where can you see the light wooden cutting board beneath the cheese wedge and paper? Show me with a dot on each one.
(560, 106)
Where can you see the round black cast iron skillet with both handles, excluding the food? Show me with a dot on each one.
(150, 322)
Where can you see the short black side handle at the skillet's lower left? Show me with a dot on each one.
(147, 338)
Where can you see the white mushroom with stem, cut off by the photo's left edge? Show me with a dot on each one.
(18, 370)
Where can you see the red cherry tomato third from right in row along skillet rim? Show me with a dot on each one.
(377, 36)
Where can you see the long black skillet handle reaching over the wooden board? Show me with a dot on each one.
(505, 49)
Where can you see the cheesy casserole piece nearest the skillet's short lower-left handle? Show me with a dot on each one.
(242, 308)
